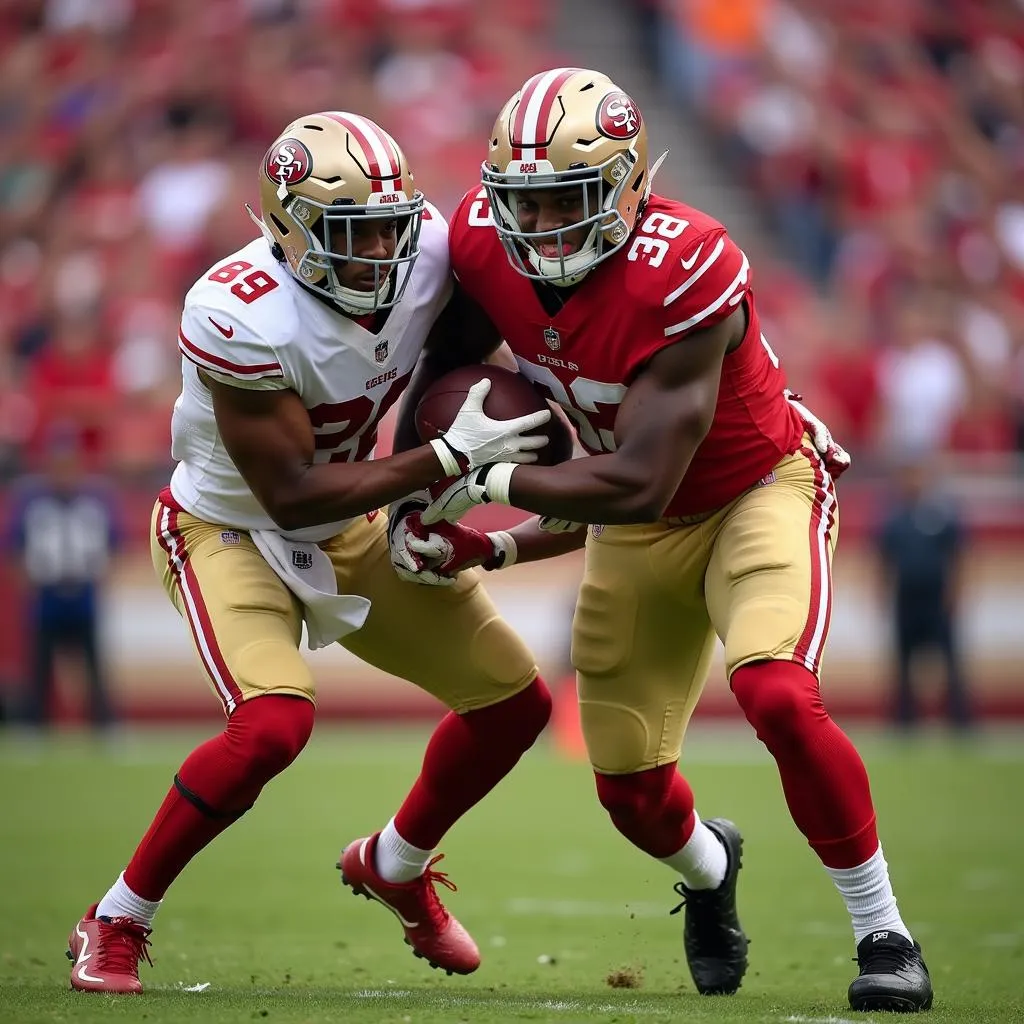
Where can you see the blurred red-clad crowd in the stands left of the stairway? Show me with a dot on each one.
(131, 135)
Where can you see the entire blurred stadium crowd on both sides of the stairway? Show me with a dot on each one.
(885, 138)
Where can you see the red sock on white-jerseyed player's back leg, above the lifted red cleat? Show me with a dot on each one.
(468, 755)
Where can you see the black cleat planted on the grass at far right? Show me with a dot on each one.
(893, 976)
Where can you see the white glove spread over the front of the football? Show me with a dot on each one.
(476, 440)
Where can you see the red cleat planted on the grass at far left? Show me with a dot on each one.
(107, 955)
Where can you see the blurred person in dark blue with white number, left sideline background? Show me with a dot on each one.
(62, 533)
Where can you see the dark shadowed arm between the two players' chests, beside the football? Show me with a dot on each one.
(461, 335)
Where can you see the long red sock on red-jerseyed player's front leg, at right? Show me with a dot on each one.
(824, 779)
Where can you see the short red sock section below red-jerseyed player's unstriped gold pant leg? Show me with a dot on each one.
(653, 809)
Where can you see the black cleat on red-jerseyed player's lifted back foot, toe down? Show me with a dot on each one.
(713, 938)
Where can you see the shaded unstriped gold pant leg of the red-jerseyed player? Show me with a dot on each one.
(642, 644)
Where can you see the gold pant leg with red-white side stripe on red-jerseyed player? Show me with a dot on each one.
(770, 582)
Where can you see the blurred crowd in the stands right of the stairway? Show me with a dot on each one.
(885, 140)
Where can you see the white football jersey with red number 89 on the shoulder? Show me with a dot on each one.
(248, 323)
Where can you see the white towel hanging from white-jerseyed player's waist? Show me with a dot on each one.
(310, 576)
